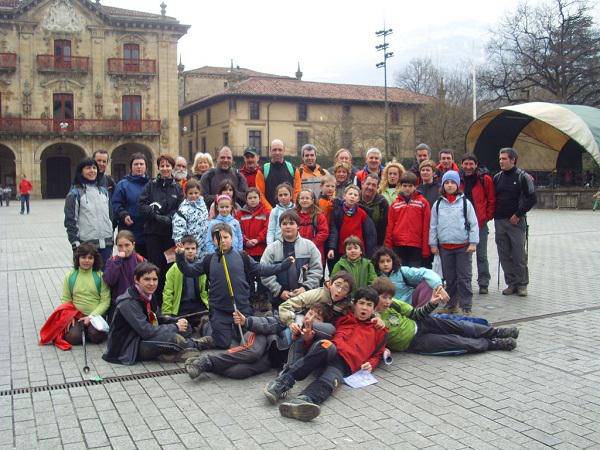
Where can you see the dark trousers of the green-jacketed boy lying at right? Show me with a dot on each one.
(443, 335)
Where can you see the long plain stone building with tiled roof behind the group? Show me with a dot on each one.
(239, 107)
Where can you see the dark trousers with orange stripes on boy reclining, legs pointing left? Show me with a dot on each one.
(243, 362)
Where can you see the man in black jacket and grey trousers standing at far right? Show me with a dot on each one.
(515, 196)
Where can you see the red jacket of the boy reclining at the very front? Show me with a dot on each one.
(359, 342)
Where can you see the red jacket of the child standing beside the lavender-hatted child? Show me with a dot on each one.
(408, 223)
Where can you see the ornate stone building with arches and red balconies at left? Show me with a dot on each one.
(77, 76)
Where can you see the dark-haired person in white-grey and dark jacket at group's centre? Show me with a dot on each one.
(305, 274)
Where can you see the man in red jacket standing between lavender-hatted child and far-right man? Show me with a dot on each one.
(478, 187)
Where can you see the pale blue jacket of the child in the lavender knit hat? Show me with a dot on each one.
(448, 227)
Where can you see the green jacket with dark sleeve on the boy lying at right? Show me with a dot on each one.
(401, 321)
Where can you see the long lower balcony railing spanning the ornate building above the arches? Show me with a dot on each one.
(19, 125)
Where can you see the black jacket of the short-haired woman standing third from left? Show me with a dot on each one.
(158, 203)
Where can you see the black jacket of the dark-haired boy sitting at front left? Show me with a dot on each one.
(130, 325)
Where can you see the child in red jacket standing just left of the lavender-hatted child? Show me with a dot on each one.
(408, 223)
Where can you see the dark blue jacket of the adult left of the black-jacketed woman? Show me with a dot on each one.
(125, 203)
